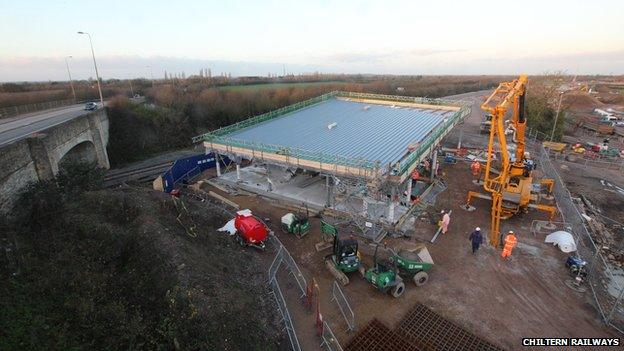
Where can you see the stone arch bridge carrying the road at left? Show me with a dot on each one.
(35, 146)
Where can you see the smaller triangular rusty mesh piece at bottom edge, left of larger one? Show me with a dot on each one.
(377, 337)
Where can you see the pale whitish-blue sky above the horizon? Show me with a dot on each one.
(141, 38)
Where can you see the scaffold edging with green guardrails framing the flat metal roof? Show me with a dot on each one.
(220, 140)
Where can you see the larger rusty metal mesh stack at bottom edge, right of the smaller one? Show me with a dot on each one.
(431, 331)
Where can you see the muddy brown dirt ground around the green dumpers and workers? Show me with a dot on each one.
(502, 301)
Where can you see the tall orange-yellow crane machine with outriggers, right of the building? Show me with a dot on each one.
(511, 188)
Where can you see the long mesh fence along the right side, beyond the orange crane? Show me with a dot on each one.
(601, 276)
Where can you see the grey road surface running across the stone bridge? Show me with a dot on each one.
(20, 127)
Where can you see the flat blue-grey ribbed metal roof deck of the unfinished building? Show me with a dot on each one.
(374, 132)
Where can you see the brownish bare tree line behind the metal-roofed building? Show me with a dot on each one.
(178, 110)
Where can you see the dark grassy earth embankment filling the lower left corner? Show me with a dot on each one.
(132, 269)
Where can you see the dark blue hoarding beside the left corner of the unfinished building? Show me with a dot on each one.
(186, 168)
